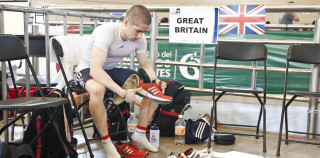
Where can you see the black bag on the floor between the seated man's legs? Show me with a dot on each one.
(114, 122)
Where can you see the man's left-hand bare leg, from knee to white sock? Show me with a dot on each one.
(99, 115)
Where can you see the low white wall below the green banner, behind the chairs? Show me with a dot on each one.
(243, 113)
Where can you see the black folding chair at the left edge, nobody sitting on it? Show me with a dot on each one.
(12, 48)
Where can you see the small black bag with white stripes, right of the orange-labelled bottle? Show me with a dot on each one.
(197, 131)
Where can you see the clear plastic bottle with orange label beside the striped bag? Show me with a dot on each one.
(180, 130)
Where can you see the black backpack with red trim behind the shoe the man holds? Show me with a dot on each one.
(166, 115)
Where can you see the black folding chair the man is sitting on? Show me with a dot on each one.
(78, 89)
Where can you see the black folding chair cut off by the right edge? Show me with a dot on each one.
(308, 54)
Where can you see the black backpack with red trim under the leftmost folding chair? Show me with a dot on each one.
(47, 145)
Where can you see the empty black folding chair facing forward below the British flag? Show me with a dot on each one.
(243, 53)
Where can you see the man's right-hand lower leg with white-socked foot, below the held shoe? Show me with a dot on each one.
(139, 136)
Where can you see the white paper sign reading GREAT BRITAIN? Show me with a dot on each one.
(193, 25)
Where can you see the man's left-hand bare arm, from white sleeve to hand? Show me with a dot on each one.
(98, 57)
